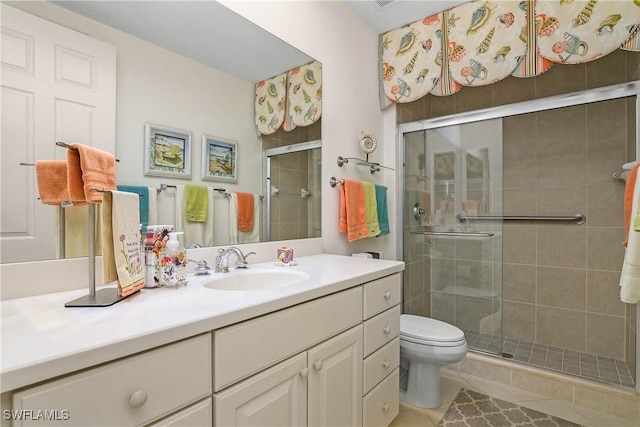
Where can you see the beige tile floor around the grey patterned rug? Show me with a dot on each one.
(453, 381)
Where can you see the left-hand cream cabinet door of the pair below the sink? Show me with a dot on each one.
(275, 397)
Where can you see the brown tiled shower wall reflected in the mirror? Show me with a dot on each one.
(289, 172)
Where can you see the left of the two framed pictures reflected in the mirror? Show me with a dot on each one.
(167, 151)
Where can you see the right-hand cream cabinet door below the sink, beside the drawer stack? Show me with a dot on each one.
(335, 381)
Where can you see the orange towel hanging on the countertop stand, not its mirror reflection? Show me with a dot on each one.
(97, 171)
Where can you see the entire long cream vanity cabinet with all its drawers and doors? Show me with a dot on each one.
(330, 359)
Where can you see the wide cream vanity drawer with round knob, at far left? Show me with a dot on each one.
(131, 391)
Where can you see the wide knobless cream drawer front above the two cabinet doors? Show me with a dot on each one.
(248, 347)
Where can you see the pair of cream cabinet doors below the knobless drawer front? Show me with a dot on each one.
(319, 387)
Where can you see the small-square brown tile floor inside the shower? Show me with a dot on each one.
(585, 365)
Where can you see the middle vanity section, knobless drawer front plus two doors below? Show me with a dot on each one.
(320, 381)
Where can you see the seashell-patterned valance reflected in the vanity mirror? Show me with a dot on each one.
(289, 100)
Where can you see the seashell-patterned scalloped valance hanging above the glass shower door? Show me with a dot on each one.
(486, 41)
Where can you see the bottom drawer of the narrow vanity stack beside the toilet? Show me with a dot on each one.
(382, 404)
